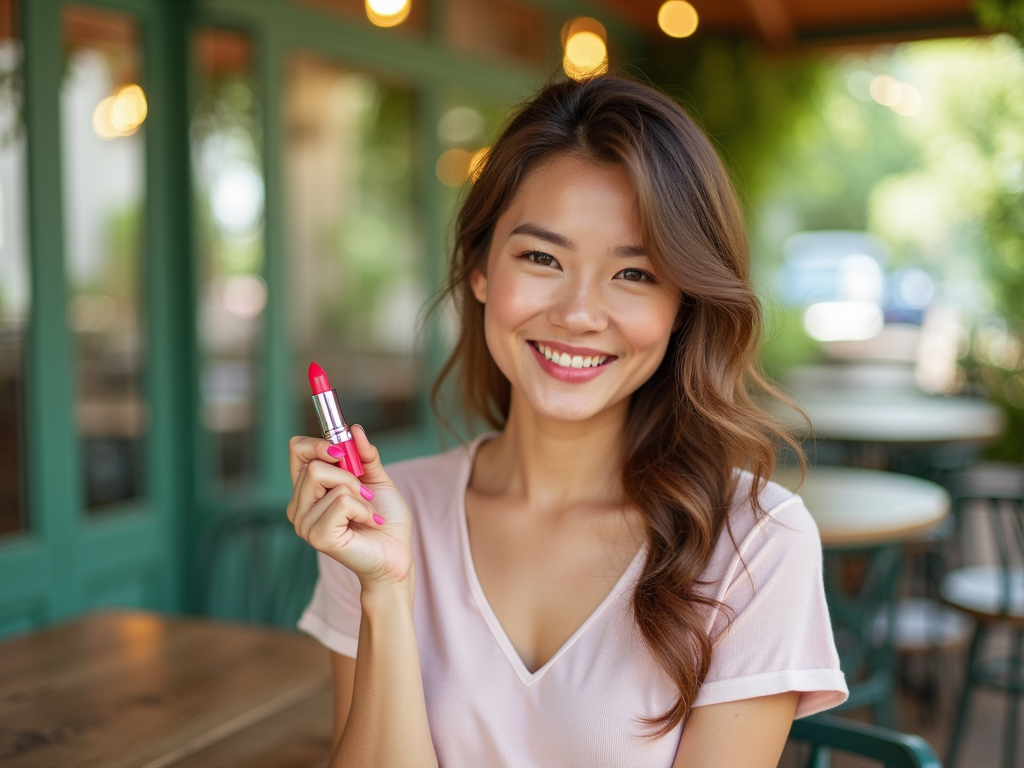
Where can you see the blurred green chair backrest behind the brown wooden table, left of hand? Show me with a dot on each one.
(251, 567)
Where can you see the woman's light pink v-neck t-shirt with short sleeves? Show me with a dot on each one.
(583, 708)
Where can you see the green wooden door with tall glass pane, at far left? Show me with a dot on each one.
(108, 386)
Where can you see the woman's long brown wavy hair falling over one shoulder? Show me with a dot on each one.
(696, 420)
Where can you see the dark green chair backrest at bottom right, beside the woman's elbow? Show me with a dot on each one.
(890, 748)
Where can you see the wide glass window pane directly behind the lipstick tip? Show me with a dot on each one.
(355, 258)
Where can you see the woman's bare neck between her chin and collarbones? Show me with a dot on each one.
(549, 464)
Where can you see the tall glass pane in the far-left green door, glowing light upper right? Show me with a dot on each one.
(103, 109)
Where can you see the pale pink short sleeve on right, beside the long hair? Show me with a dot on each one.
(780, 638)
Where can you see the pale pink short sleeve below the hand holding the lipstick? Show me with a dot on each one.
(334, 613)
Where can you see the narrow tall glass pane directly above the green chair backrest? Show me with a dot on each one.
(228, 174)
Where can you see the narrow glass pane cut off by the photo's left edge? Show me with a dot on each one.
(15, 296)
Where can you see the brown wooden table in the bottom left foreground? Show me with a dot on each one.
(129, 689)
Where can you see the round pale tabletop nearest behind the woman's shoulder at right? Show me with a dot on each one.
(865, 508)
